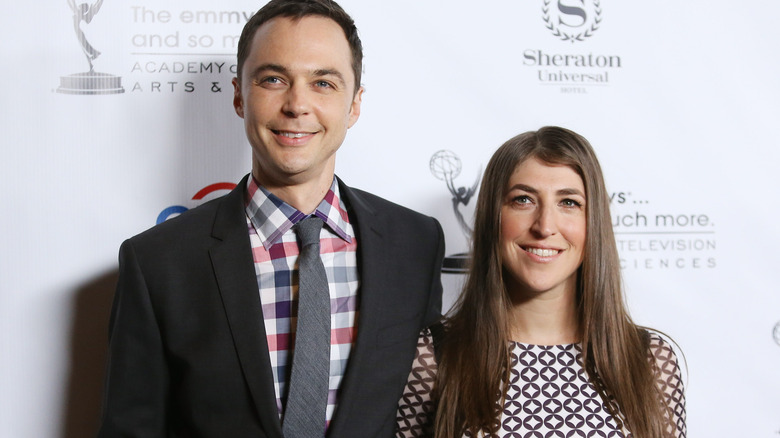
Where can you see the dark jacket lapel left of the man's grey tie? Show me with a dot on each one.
(234, 271)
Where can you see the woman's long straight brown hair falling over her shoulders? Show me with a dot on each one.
(474, 354)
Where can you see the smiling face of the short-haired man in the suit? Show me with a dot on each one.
(297, 99)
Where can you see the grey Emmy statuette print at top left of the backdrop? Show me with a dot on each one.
(89, 82)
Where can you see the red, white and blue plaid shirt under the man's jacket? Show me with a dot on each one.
(275, 251)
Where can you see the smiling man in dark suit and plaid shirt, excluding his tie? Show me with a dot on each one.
(203, 323)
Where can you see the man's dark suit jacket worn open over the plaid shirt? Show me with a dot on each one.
(188, 354)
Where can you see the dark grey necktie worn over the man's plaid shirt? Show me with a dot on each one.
(307, 398)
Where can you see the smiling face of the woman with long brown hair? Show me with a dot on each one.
(543, 227)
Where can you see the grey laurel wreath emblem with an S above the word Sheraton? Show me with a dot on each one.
(572, 20)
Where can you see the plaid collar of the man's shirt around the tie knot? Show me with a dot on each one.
(272, 217)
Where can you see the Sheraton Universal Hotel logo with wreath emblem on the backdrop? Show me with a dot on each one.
(572, 67)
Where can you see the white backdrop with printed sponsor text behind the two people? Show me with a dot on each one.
(680, 100)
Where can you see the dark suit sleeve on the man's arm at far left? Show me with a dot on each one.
(136, 386)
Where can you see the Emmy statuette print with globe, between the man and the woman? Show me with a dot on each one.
(446, 166)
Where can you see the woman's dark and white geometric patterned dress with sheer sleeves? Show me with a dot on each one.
(548, 396)
